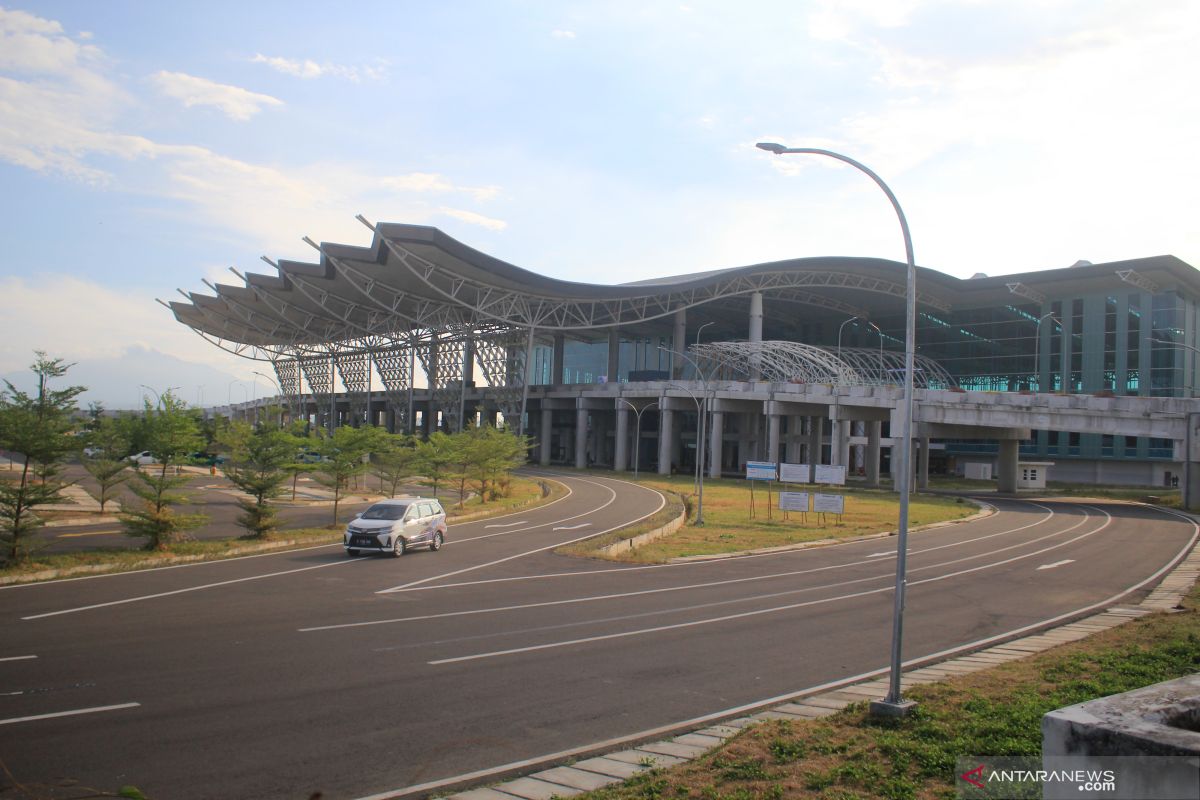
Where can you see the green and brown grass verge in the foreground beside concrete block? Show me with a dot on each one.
(994, 713)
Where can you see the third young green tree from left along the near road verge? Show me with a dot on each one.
(259, 466)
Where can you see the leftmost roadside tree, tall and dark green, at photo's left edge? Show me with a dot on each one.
(39, 429)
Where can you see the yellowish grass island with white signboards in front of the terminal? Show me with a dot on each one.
(729, 528)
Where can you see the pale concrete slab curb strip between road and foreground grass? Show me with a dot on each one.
(613, 768)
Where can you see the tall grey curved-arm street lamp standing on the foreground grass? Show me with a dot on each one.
(895, 703)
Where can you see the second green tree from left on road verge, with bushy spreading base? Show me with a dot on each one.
(172, 432)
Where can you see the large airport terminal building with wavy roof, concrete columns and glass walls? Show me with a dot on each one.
(1090, 368)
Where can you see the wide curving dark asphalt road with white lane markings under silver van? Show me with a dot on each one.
(285, 675)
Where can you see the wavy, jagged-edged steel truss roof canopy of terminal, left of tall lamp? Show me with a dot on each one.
(415, 282)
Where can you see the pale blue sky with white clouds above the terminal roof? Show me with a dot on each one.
(146, 147)
